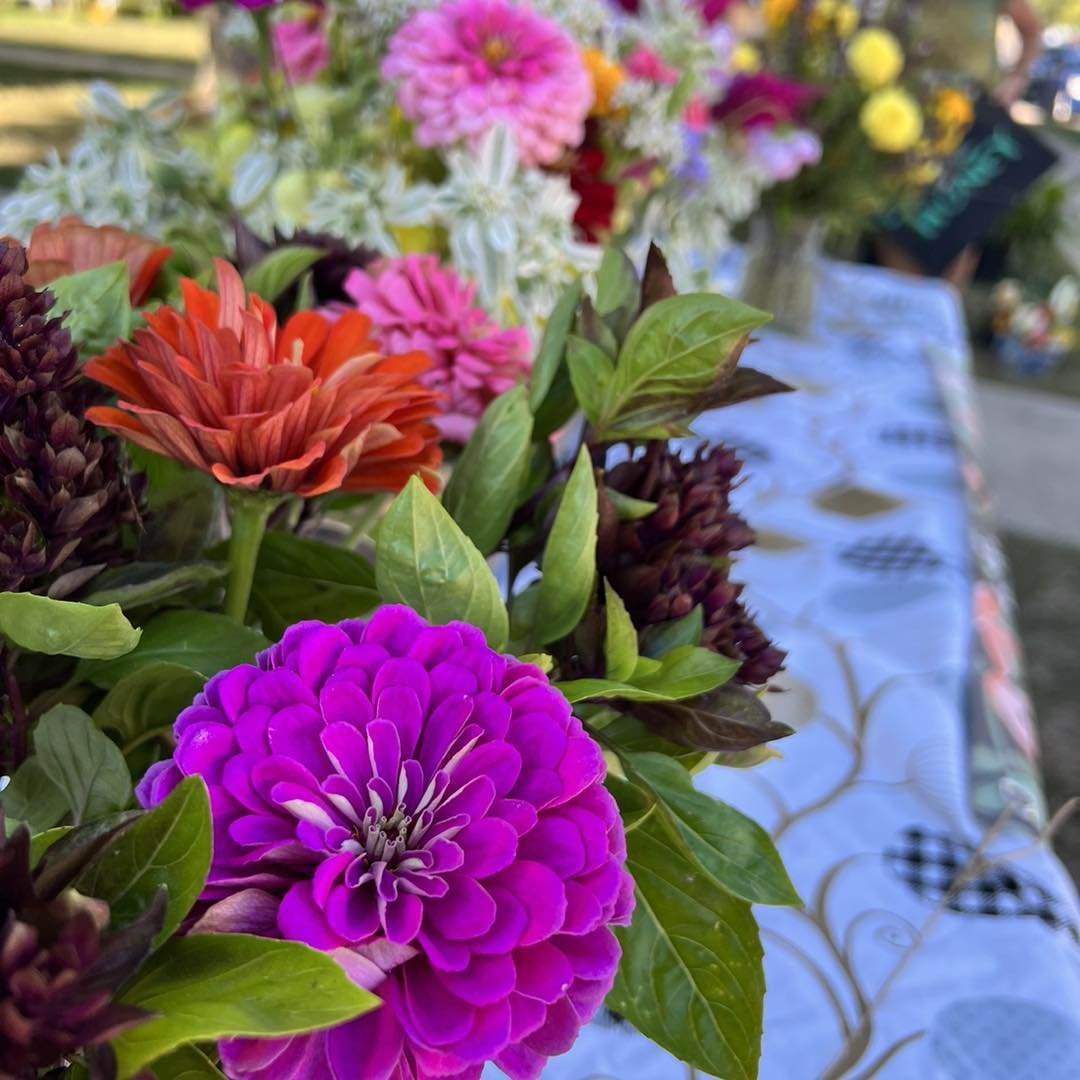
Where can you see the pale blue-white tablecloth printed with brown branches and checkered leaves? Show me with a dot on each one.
(877, 571)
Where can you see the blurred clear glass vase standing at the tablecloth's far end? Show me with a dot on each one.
(781, 272)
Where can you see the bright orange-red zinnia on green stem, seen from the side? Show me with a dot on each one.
(307, 409)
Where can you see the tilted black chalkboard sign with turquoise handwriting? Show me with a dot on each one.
(995, 166)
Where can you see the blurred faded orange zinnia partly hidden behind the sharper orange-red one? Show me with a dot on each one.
(72, 247)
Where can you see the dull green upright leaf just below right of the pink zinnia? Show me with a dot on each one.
(488, 481)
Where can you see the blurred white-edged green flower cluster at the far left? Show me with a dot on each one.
(129, 169)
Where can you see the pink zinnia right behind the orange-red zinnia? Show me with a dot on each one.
(417, 305)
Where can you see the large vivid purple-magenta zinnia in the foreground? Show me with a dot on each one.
(426, 808)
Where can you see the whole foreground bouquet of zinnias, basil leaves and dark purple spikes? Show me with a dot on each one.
(320, 763)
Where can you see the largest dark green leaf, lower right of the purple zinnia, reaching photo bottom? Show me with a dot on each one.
(691, 978)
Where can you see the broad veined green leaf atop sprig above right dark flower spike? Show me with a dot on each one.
(677, 349)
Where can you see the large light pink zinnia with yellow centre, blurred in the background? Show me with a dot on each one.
(469, 65)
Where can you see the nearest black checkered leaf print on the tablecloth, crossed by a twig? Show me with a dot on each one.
(929, 862)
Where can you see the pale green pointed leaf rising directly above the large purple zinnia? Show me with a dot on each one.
(424, 560)
